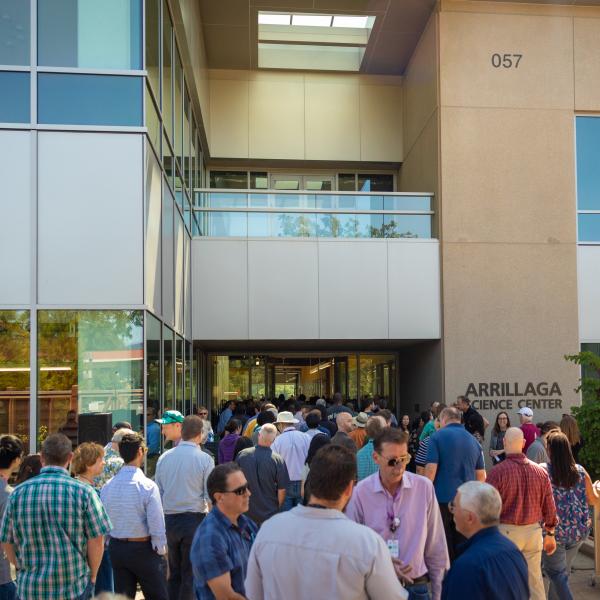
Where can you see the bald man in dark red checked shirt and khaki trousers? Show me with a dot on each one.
(527, 501)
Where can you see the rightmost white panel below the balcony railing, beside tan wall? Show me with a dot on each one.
(414, 290)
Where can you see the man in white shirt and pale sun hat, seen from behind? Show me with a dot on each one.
(292, 445)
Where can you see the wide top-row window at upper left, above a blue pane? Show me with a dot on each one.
(90, 34)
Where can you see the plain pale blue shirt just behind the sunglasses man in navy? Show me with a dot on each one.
(181, 475)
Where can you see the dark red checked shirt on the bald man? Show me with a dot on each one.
(526, 491)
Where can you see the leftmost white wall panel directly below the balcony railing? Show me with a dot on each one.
(220, 289)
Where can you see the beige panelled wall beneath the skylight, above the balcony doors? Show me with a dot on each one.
(304, 116)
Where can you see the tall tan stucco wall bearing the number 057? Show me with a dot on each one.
(508, 201)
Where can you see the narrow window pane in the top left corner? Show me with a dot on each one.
(14, 33)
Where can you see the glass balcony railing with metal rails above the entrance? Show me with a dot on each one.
(268, 214)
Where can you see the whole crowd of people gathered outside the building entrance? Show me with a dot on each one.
(299, 499)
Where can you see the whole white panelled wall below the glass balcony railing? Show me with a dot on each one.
(310, 290)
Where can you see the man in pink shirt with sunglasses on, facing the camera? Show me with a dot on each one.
(401, 507)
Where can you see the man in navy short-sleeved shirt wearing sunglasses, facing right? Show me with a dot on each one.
(222, 542)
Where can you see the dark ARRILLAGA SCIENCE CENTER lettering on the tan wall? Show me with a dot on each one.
(512, 396)
